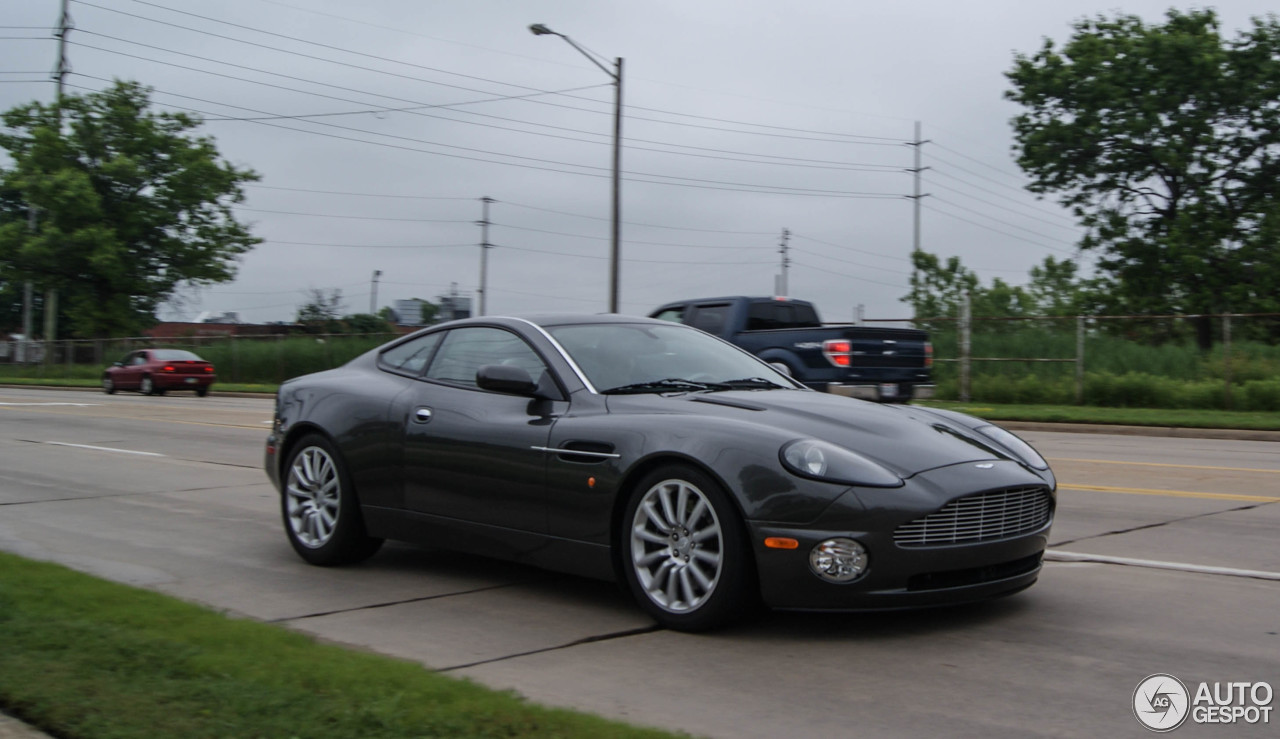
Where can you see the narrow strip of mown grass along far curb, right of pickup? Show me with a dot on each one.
(1191, 418)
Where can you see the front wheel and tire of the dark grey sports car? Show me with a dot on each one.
(684, 551)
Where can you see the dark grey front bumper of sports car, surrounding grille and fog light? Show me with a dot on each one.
(904, 577)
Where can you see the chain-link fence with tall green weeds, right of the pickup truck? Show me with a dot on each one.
(1227, 362)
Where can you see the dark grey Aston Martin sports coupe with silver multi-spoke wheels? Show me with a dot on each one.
(661, 457)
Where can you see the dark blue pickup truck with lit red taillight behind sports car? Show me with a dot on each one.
(871, 363)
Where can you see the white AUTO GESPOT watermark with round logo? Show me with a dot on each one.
(1163, 704)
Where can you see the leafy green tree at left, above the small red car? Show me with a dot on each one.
(130, 206)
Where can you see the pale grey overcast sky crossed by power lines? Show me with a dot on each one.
(380, 126)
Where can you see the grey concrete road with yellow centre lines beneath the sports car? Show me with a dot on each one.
(1165, 559)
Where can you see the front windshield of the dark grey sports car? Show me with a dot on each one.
(646, 358)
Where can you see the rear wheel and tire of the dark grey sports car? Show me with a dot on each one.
(322, 514)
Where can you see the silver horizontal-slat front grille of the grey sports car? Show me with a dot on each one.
(982, 518)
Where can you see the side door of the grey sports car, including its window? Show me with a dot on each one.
(473, 455)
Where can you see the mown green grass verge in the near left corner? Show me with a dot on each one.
(83, 658)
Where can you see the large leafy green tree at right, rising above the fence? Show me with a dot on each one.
(1165, 142)
